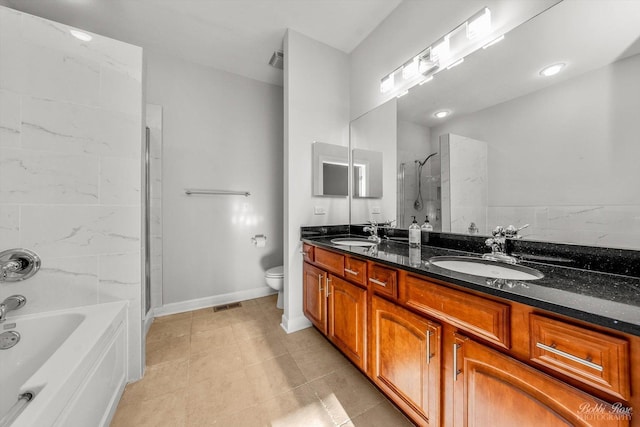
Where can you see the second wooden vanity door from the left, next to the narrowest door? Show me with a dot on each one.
(348, 319)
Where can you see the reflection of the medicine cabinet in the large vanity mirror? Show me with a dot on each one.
(367, 173)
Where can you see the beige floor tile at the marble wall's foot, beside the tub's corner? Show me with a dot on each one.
(158, 380)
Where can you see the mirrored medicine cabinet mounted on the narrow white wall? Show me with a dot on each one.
(330, 169)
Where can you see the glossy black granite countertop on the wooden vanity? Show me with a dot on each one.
(605, 299)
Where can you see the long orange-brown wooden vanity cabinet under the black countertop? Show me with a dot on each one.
(450, 356)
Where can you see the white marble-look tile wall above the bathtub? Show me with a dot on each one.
(70, 166)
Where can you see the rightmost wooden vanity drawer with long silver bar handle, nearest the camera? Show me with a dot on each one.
(596, 359)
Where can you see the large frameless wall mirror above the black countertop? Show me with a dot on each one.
(559, 153)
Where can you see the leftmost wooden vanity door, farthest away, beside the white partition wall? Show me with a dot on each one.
(314, 296)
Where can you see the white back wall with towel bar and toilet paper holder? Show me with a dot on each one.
(220, 131)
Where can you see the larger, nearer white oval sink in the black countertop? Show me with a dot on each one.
(486, 268)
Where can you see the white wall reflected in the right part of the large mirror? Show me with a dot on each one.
(547, 168)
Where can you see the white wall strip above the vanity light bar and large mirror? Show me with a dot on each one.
(413, 26)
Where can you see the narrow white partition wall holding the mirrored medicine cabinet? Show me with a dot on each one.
(316, 101)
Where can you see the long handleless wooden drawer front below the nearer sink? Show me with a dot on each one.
(480, 316)
